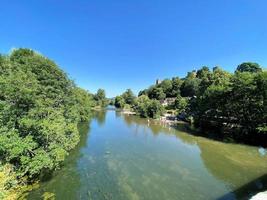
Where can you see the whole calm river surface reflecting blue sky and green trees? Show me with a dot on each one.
(123, 157)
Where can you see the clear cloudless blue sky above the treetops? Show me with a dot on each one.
(120, 44)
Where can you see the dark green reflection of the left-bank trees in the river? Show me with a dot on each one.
(65, 182)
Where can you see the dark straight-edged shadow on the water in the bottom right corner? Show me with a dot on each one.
(246, 191)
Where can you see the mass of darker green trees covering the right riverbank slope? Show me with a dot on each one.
(233, 102)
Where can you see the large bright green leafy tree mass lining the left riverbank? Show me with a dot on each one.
(40, 108)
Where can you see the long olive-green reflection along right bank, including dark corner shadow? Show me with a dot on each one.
(240, 167)
